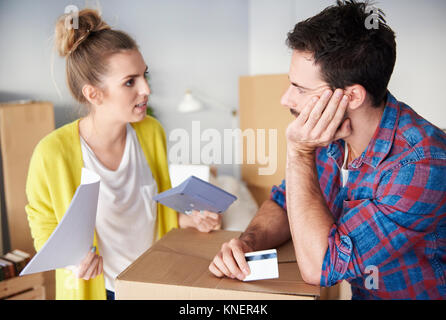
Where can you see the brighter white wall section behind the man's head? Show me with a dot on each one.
(418, 78)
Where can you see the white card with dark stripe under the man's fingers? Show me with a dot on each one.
(263, 265)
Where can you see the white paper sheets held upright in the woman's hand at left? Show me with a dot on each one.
(73, 236)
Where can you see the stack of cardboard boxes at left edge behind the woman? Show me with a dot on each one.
(22, 126)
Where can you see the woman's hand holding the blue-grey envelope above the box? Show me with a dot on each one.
(203, 221)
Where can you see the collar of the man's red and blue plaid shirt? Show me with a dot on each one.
(381, 143)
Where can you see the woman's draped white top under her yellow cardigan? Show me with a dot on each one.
(126, 214)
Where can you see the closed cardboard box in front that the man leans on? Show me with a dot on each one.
(176, 267)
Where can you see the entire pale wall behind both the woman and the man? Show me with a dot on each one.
(205, 45)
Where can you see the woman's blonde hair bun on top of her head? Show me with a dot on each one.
(67, 38)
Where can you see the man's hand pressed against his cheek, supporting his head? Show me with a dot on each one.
(320, 123)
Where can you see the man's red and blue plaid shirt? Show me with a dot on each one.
(389, 235)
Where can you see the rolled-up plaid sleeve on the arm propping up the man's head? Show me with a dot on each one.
(410, 201)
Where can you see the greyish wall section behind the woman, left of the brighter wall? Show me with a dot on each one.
(197, 44)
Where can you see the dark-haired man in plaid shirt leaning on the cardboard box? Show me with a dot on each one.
(365, 190)
